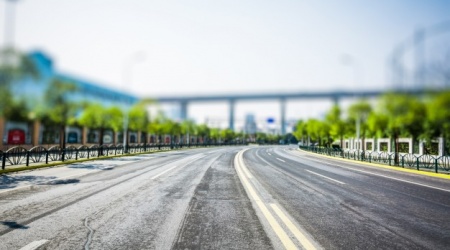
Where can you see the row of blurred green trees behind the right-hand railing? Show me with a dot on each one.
(424, 117)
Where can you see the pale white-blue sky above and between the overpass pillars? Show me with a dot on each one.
(203, 47)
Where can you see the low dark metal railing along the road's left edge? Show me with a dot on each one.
(39, 154)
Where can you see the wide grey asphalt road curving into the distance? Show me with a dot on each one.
(223, 198)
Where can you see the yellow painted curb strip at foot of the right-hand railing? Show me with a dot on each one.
(435, 175)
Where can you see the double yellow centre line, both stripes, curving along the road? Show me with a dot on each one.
(245, 177)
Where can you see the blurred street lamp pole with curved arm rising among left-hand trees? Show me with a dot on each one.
(127, 74)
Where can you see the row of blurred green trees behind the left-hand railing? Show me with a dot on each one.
(61, 106)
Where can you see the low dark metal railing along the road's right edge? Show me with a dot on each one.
(424, 162)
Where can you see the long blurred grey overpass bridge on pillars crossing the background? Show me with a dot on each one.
(231, 99)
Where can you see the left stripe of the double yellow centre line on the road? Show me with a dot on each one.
(282, 235)
